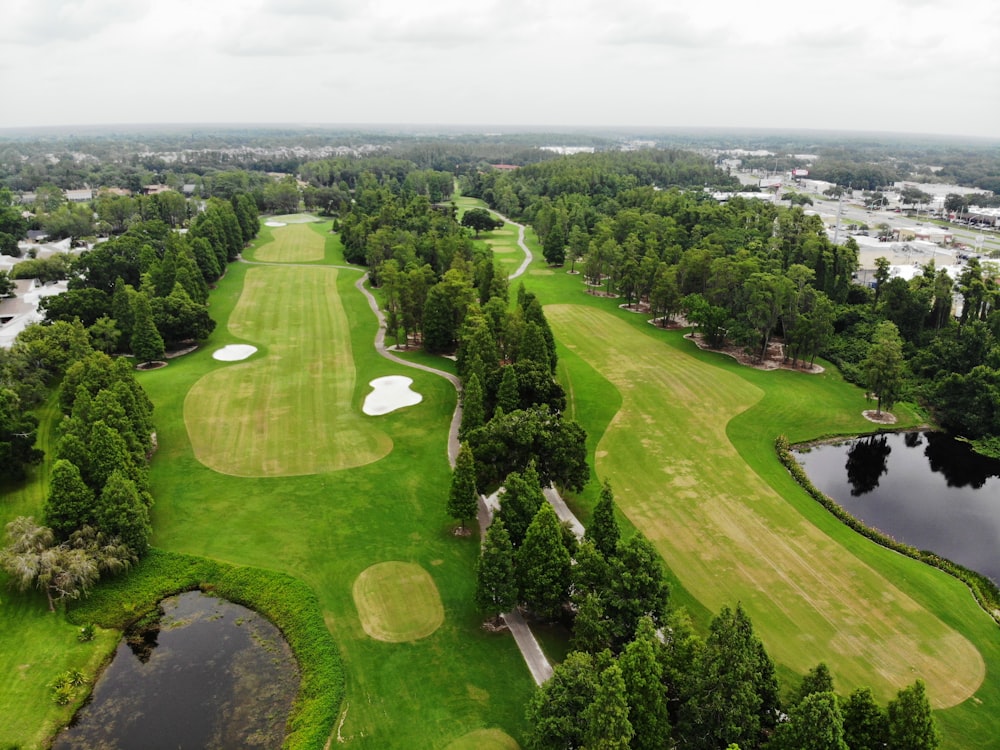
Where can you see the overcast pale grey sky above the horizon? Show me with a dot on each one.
(891, 65)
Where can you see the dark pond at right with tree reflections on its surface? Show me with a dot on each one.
(922, 488)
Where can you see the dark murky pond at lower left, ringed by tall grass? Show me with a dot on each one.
(209, 674)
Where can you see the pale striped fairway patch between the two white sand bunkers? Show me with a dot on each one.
(292, 411)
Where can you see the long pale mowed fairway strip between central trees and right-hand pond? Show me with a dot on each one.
(729, 537)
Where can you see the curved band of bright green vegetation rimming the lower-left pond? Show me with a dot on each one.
(286, 601)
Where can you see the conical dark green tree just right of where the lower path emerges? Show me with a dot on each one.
(543, 565)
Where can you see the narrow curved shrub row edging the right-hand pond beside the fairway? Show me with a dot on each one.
(983, 589)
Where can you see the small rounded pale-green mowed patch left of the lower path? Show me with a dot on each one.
(397, 602)
